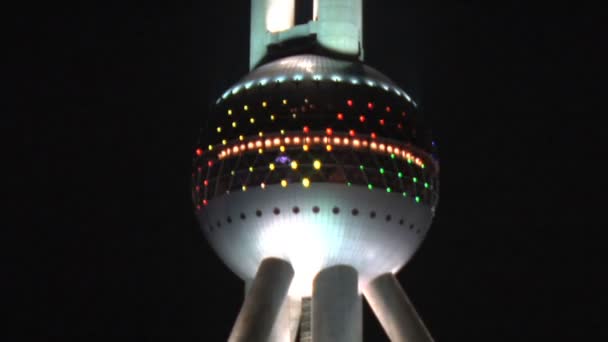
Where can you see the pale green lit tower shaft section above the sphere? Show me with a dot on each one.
(336, 27)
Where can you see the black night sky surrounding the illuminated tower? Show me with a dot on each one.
(113, 95)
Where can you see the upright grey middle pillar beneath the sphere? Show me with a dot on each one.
(336, 306)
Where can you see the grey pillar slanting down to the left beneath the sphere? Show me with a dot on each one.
(263, 302)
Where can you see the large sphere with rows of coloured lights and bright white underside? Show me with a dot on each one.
(317, 161)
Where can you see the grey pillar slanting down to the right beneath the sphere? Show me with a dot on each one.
(394, 310)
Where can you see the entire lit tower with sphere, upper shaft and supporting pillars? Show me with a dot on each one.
(315, 181)
